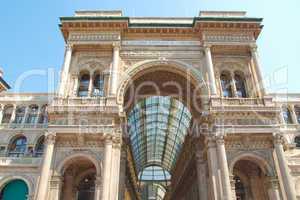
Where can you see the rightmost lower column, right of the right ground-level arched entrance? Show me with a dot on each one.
(284, 169)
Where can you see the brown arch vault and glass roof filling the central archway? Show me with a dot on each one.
(160, 103)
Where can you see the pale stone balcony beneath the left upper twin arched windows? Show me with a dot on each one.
(83, 104)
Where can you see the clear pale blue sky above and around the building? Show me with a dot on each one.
(31, 45)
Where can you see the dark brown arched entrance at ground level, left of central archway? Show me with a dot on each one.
(79, 176)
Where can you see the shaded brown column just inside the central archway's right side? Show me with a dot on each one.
(202, 178)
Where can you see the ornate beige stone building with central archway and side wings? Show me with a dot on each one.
(153, 108)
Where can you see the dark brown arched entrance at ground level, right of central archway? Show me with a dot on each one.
(250, 181)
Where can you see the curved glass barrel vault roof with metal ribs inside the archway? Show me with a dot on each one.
(157, 128)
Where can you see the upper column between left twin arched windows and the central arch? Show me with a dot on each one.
(114, 73)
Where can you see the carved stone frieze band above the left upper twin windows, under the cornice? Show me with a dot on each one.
(90, 37)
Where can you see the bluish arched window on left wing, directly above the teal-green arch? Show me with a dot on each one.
(18, 147)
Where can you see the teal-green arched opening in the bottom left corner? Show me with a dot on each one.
(14, 190)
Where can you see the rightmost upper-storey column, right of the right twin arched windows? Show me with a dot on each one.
(257, 69)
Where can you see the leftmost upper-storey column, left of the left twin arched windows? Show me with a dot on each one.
(65, 70)
